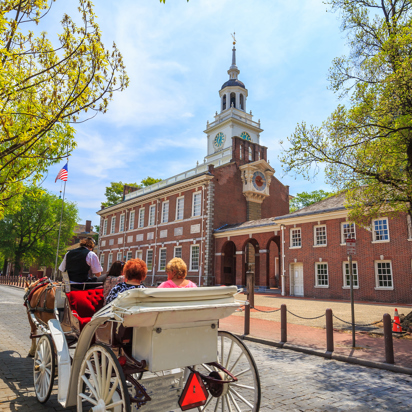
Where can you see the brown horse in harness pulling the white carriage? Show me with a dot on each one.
(39, 300)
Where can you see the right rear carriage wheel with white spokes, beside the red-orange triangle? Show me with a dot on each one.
(241, 396)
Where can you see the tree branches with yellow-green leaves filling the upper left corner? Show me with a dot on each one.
(47, 86)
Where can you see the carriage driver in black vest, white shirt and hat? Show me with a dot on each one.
(79, 262)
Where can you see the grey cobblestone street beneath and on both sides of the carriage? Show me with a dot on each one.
(291, 381)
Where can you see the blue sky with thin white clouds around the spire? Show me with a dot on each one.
(177, 56)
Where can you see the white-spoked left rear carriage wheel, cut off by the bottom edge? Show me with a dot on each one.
(102, 385)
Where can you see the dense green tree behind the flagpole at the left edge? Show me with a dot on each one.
(29, 233)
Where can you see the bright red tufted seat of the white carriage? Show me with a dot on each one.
(85, 303)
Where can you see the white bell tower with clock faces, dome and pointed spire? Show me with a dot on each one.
(232, 119)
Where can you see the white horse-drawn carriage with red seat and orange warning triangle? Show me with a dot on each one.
(148, 350)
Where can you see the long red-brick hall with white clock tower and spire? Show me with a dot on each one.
(177, 216)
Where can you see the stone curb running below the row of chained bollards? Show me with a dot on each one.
(329, 355)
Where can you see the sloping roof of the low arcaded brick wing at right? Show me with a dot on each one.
(329, 204)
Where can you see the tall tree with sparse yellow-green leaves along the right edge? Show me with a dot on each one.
(365, 146)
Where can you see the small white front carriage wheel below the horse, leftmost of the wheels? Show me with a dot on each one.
(44, 368)
